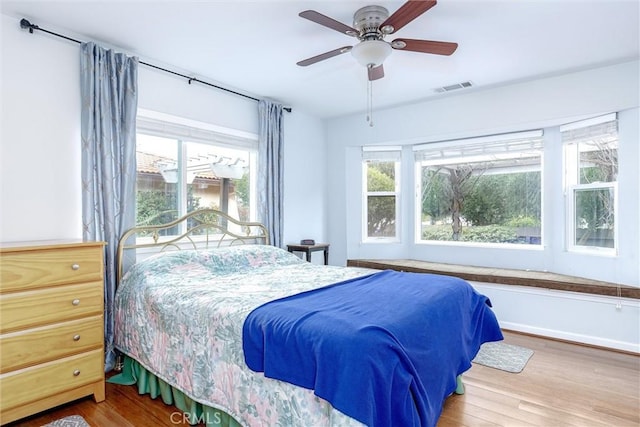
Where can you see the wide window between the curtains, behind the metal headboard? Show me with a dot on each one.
(181, 168)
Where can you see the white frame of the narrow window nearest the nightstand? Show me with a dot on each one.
(381, 154)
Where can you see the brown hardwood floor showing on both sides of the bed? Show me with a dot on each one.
(562, 385)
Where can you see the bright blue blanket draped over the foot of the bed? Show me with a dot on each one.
(384, 349)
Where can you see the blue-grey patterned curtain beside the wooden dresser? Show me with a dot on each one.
(109, 90)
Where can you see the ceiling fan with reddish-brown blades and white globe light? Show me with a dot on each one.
(371, 24)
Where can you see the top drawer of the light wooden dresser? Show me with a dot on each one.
(31, 269)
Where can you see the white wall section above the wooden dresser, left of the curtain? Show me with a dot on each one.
(40, 154)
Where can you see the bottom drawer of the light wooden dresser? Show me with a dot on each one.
(34, 383)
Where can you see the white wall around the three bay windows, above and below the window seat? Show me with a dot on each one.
(527, 105)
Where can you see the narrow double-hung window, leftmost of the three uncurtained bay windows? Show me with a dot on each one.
(381, 177)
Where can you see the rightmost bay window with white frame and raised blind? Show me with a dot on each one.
(591, 174)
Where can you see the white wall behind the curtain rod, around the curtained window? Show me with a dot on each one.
(40, 197)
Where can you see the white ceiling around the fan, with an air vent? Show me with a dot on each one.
(253, 46)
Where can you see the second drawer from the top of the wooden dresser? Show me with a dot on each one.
(45, 306)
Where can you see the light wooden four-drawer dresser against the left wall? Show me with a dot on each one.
(51, 325)
